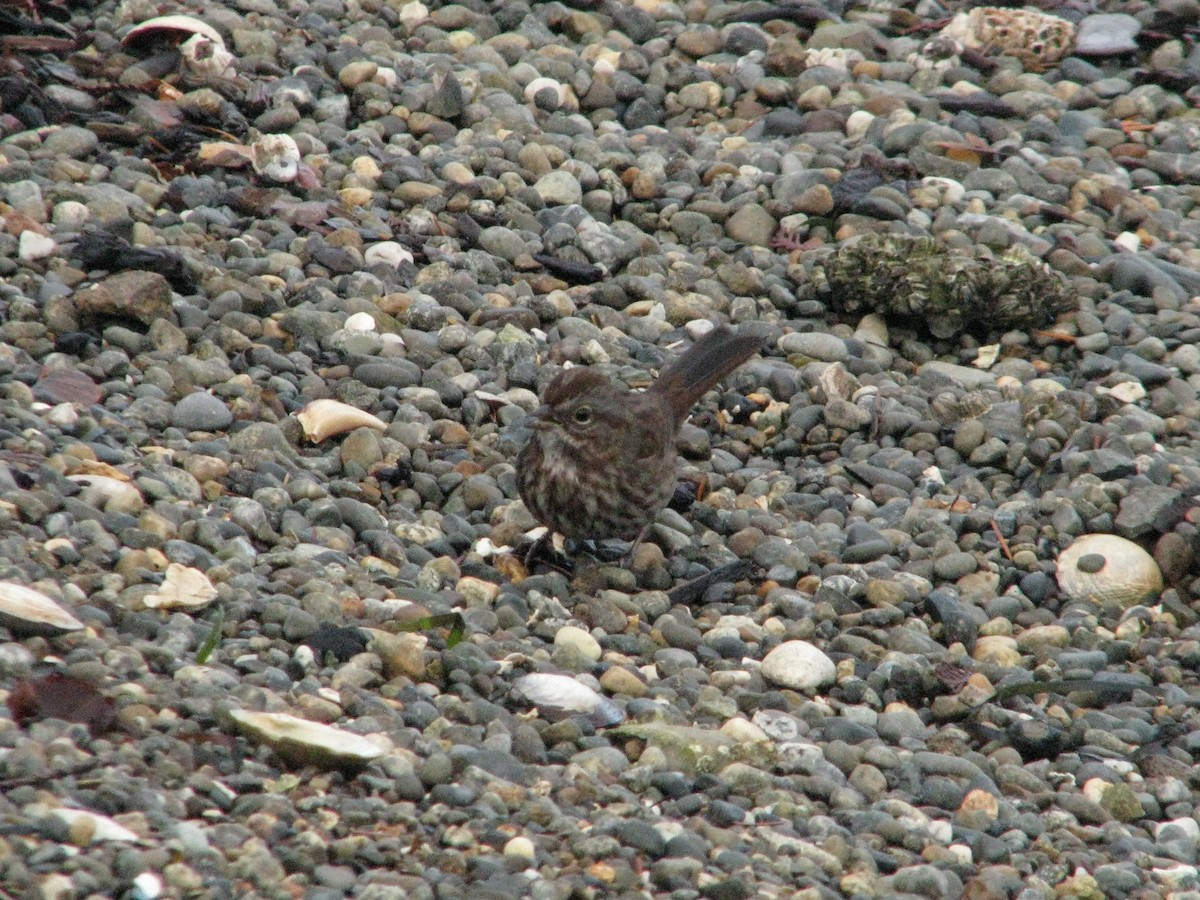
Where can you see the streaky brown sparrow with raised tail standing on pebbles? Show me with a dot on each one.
(602, 460)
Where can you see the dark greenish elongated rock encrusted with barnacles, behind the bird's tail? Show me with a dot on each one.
(919, 281)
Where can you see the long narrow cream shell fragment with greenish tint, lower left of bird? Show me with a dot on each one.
(307, 743)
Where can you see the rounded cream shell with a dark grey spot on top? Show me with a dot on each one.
(1107, 569)
